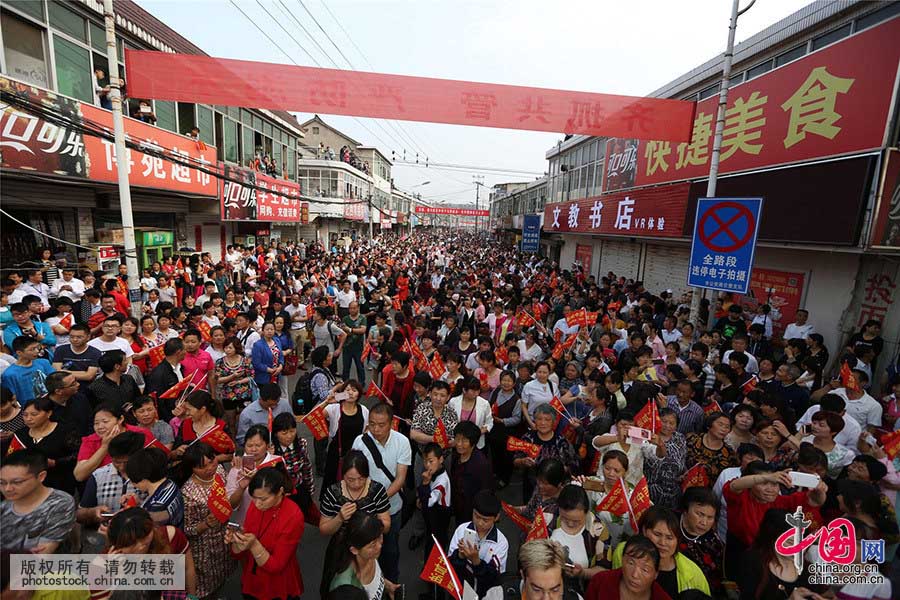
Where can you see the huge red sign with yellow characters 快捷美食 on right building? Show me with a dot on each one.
(835, 101)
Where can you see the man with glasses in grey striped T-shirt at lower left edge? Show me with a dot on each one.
(35, 518)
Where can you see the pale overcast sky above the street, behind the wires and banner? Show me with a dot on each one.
(605, 46)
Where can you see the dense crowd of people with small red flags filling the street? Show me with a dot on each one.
(441, 376)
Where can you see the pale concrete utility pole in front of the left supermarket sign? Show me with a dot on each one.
(115, 97)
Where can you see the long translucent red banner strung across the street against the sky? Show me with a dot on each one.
(208, 80)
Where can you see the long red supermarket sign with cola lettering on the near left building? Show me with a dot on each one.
(30, 143)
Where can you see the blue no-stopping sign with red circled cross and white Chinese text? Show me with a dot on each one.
(724, 243)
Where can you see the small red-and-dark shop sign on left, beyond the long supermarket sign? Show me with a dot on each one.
(243, 202)
